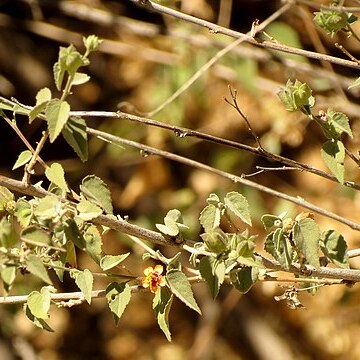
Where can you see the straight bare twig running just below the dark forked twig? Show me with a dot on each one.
(236, 179)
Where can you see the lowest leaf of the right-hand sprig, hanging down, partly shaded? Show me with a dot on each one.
(333, 155)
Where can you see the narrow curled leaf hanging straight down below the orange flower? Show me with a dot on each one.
(162, 304)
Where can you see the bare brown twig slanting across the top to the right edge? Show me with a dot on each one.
(247, 38)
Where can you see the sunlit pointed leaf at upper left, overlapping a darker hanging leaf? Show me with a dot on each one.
(57, 114)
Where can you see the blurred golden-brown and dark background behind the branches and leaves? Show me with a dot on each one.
(144, 59)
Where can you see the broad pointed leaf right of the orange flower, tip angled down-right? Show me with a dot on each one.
(181, 288)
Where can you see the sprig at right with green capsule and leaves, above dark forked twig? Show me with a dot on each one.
(297, 96)
